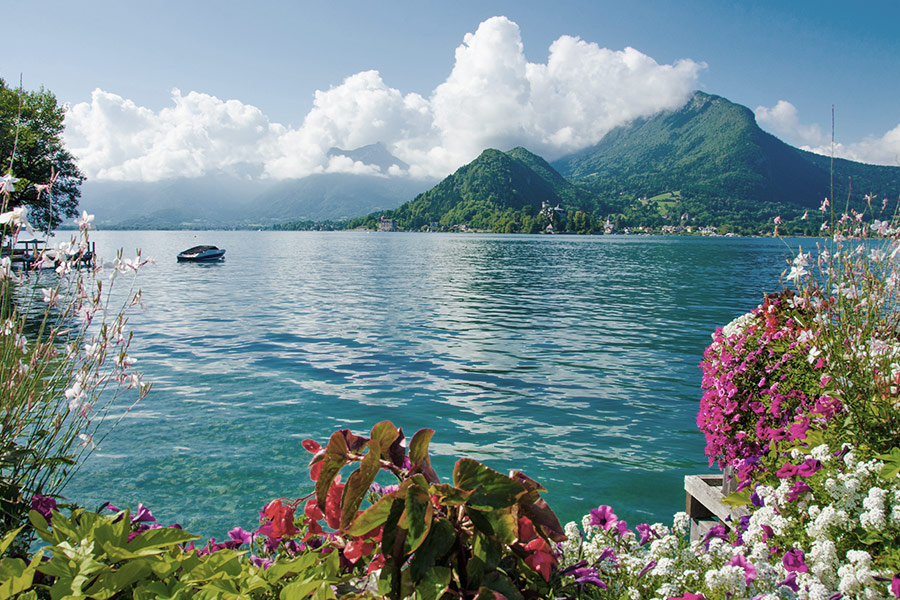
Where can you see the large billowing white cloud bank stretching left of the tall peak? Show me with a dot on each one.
(493, 97)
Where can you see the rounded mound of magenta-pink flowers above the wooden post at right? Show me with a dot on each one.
(765, 381)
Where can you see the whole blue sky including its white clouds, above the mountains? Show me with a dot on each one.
(789, 61)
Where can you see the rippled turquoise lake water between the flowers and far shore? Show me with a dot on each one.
(573, 359)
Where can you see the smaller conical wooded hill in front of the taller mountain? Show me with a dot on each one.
(500, 191)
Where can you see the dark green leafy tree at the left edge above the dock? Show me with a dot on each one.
(31, 148)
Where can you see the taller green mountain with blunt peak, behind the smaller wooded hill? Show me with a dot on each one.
(724, 166)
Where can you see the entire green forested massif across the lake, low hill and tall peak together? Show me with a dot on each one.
(705, 164)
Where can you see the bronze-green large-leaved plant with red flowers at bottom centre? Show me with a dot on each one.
(485, 531)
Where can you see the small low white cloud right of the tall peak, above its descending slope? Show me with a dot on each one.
(783, 120)
